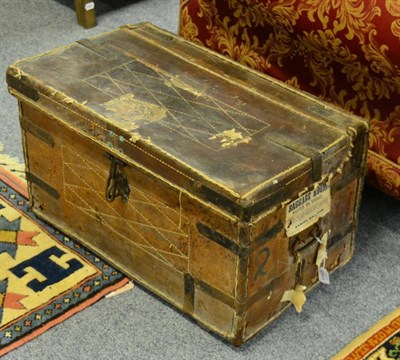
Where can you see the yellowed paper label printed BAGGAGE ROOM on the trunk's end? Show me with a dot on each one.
(307, 209)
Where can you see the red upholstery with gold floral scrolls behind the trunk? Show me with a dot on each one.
(345, 51)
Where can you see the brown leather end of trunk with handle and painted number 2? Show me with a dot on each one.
(278, 264)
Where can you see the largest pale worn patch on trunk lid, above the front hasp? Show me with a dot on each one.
(131, 113)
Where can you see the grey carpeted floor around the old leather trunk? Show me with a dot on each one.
(136, 325)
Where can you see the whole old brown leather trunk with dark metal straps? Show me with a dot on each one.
(223, 191)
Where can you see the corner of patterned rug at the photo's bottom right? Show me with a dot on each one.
(381, 342)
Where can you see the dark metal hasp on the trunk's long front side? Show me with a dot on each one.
(117, 182)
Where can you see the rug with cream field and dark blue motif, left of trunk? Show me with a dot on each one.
(45, 277)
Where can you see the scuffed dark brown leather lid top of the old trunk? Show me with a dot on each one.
(196, 111)
